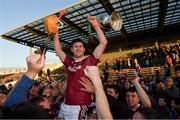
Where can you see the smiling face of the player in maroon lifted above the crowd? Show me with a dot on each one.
(78, 49)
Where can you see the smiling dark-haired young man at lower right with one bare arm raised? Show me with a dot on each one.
(134, 96)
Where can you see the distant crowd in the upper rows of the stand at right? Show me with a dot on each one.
(151, 57)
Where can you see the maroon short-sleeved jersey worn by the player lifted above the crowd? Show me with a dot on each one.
(75, 70)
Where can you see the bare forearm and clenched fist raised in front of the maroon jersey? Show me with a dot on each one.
(102, 105)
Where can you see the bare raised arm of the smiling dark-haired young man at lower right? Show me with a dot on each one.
(140, 91)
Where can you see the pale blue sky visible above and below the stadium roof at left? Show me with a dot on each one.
(16, 13)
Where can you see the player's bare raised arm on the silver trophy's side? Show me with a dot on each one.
(102, 39)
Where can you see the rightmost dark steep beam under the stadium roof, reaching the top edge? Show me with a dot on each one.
(162, 13)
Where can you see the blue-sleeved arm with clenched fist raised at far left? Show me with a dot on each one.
(20, 92)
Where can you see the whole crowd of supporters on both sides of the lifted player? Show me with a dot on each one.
(152, 96)
